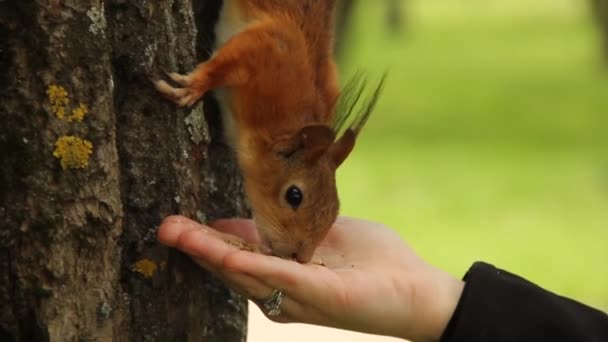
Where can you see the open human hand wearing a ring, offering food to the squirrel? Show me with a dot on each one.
(363, 277)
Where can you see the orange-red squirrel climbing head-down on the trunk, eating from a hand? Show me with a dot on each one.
(275, 77)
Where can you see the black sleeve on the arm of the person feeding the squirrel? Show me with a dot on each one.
(498, 306)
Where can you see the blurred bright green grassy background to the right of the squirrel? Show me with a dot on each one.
(490, 140)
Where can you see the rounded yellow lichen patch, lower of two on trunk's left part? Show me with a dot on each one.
(73, 152)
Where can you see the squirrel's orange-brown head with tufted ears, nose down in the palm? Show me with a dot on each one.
(291, 184)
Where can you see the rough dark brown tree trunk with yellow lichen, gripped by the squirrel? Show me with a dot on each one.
(91, 160)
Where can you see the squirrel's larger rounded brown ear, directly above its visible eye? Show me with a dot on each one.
(308, 144)
